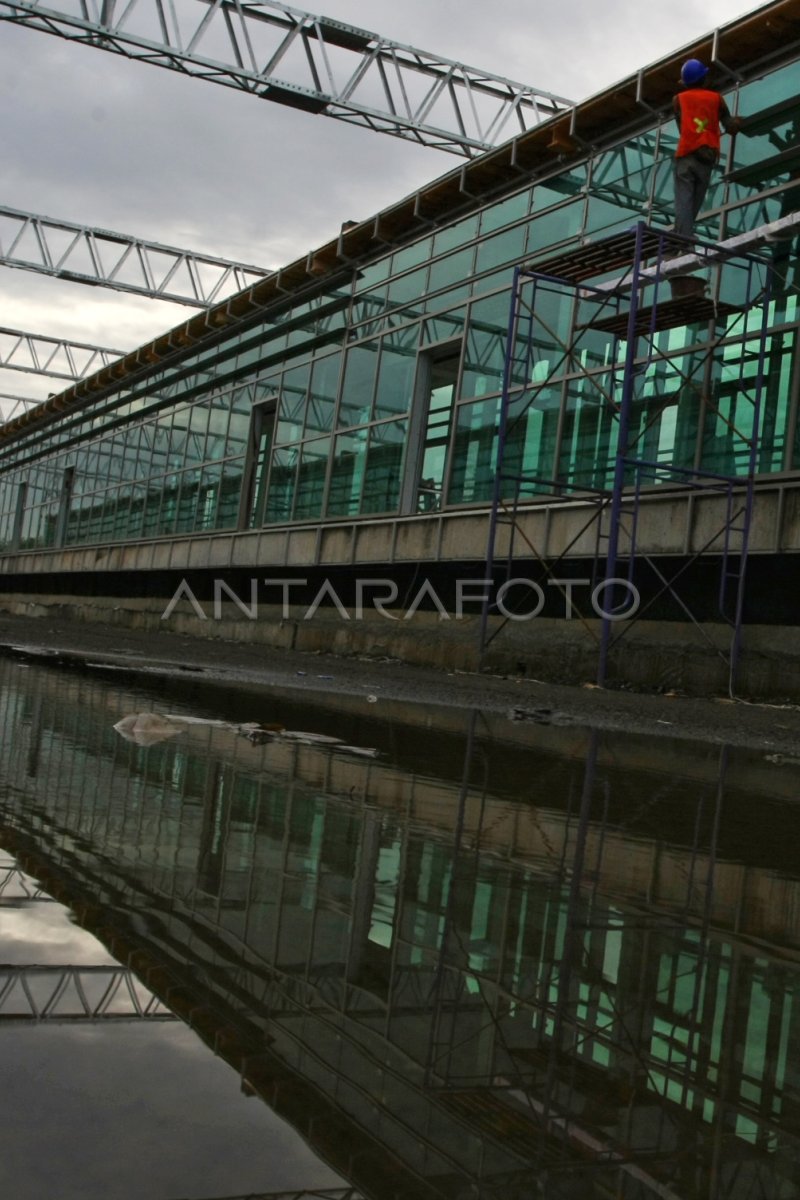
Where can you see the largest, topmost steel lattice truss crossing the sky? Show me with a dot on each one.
(306, 62)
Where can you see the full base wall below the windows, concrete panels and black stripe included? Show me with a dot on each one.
(131, 586)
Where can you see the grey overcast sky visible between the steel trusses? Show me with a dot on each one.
(93, 139)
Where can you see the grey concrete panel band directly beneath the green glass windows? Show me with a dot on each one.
(671, 523)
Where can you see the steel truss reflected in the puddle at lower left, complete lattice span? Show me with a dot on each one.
(76, 994)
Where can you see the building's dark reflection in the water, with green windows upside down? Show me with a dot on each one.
(587, 991)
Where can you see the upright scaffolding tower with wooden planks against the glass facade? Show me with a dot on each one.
(613, 361)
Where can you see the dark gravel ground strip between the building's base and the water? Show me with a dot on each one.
(71, 645)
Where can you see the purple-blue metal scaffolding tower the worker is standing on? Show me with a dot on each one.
(641, 260)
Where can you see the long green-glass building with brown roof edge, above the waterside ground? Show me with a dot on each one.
(323, 422)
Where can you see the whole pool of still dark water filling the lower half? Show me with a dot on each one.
(492, 959)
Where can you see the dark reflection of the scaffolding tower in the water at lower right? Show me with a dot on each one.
(566, 1067)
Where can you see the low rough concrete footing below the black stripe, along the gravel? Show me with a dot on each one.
(649, 657)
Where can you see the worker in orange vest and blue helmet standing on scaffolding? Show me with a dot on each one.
(700, 113)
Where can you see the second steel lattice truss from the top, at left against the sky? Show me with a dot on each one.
(85, 255)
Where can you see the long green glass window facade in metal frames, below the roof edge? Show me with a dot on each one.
(381, 397)
